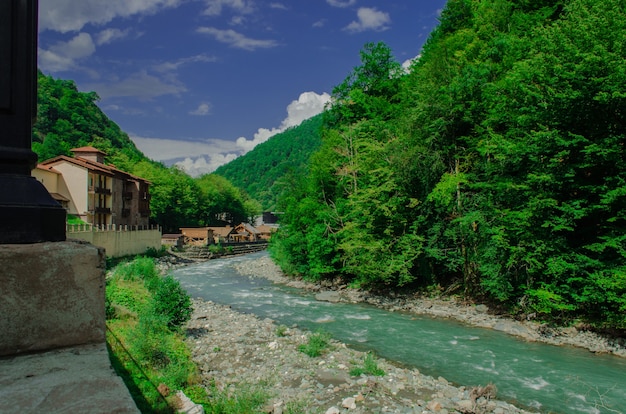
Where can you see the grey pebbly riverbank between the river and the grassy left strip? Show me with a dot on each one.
(236, 351)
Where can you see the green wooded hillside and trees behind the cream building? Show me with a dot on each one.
(67, 118)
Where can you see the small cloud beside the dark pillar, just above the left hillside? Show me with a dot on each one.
(63, 55)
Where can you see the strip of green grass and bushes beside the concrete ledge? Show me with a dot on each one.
(145, 346)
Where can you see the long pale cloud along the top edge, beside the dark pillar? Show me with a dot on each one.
(71, 15)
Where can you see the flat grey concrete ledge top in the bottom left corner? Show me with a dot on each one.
(71, 380)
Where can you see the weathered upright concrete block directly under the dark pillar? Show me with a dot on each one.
(51, 296)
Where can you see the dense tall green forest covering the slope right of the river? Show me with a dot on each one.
(494, 168)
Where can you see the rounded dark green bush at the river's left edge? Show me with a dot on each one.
(171, 301)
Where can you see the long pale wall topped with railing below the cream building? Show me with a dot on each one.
(118, 241)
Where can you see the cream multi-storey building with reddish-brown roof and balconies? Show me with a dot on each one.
(97, 193)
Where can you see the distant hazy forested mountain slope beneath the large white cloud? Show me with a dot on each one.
(260, 172)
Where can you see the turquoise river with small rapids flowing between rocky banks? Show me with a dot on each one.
(537, 376)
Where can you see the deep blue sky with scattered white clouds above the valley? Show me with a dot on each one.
(199, 82)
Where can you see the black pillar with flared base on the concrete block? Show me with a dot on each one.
(28, 214)
